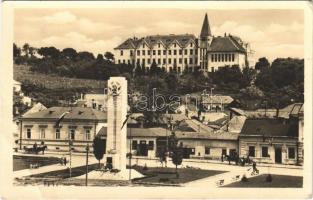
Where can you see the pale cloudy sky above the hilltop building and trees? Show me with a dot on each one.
(271, 33)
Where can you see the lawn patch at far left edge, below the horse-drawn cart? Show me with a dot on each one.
(23, 162)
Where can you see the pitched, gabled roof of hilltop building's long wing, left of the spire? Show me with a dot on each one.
(151, 40)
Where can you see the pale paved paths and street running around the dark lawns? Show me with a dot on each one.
(234, 173)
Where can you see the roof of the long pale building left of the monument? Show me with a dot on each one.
(78, 113)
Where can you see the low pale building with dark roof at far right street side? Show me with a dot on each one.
(270, 140)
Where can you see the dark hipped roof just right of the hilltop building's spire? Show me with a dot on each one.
(225, 44)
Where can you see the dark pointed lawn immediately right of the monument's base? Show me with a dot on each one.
(168, 175)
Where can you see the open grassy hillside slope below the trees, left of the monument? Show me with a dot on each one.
(23, 74)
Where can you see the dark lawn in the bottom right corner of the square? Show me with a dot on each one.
(278, 181)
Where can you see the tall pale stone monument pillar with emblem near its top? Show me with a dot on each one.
(117, 133)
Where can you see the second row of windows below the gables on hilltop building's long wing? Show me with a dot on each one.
(159, 61)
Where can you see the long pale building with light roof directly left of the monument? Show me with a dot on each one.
(57, 126)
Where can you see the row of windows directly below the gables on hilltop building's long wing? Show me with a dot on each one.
(159, 52)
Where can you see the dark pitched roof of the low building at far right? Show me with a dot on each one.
(268, 127)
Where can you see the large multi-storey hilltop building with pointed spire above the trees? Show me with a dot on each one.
(185, 51)
